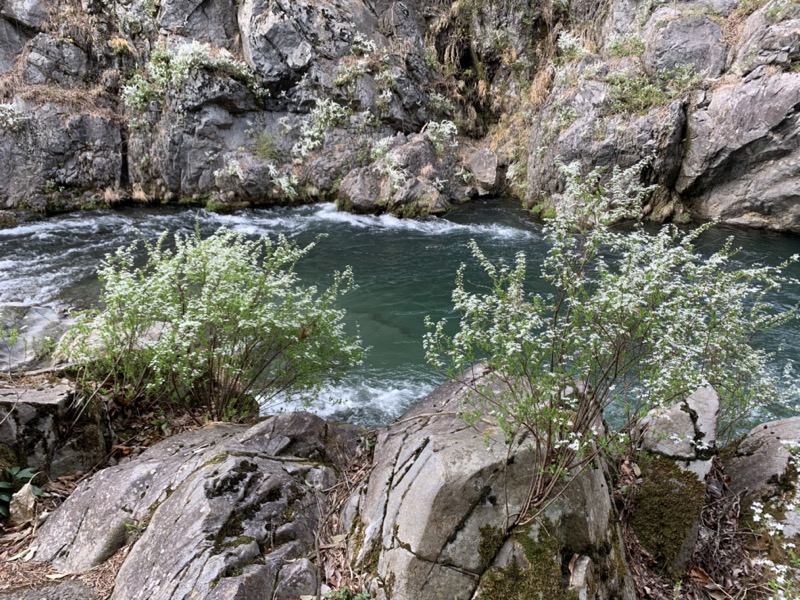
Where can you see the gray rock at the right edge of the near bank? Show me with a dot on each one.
(762, 459)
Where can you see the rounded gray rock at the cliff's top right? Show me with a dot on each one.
(675, 37)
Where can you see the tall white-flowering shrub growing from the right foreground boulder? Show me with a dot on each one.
(635, 319)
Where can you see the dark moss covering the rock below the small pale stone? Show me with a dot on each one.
(666, 508)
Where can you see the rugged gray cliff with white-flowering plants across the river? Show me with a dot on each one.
(256, 102)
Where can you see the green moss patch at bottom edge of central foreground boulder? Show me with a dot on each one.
(540, 578)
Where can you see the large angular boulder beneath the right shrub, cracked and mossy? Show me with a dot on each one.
(432, 521)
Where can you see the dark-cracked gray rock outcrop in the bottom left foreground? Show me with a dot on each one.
(222, 512)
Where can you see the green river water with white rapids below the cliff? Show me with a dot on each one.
(405, 269)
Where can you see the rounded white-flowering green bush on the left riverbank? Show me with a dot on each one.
(212, 324)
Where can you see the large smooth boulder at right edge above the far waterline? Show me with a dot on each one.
(742, 157)
